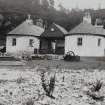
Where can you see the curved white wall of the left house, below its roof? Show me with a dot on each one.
(22, 44)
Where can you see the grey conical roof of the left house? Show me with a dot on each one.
(27, 28)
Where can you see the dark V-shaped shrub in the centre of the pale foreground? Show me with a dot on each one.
(48, 88)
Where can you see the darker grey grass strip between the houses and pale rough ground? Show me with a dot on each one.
(61, 64)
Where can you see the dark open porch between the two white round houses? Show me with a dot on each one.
(52, 46)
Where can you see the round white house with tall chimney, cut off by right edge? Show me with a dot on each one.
(86, 39)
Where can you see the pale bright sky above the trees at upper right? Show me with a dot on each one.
(82, 4)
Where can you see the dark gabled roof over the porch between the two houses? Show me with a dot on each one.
(59, 32)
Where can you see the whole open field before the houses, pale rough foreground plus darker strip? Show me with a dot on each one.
(22, 85)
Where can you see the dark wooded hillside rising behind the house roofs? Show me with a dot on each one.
(14, 12)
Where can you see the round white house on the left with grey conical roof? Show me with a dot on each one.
(24, 38)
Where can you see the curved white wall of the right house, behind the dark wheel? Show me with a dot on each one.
(89, 48)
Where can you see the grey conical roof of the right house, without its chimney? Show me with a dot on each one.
(86, 28)
